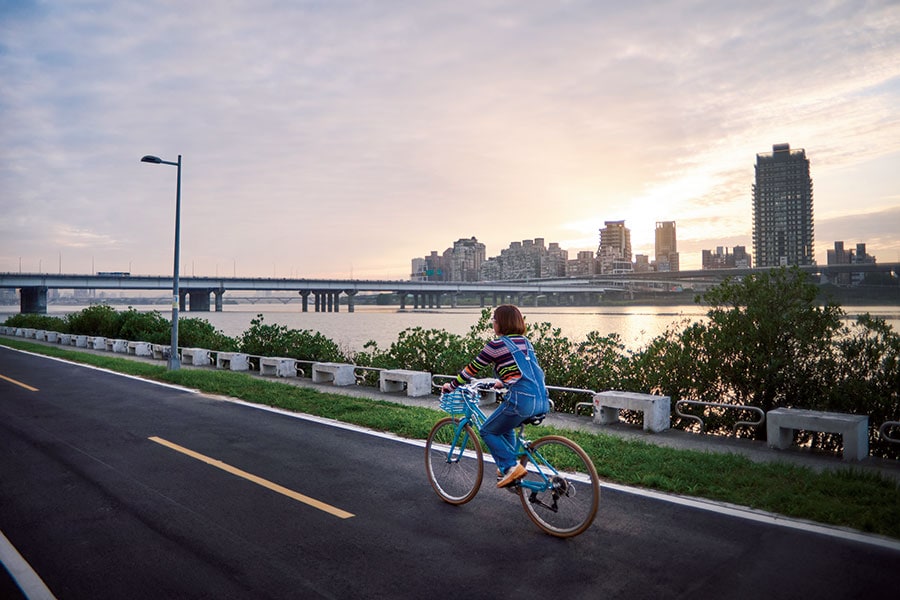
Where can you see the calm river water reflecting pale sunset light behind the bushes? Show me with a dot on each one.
(636, 325)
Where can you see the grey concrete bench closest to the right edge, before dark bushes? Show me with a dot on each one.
(854, 429)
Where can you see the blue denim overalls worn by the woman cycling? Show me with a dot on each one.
(527, 397)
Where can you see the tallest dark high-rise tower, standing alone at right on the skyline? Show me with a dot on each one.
(782, 208)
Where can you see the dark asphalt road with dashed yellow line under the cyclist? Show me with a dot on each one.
(112, 487)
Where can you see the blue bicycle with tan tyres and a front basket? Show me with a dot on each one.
(561, 490)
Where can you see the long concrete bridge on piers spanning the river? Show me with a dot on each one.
(194, 292)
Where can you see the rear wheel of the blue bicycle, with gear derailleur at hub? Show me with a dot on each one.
(563, 494)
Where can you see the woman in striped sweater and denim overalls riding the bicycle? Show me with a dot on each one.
(517, 368)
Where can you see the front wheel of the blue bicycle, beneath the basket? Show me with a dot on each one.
(454, 461)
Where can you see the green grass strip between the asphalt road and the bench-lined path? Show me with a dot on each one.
(847, 497)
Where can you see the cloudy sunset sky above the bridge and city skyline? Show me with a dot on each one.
(343, 138)
